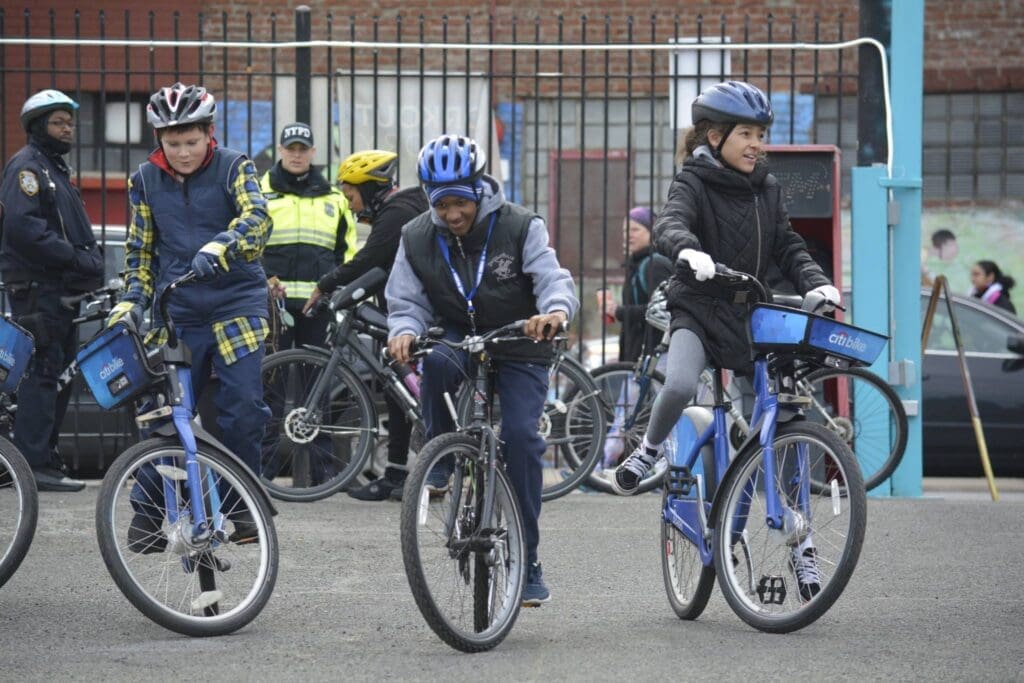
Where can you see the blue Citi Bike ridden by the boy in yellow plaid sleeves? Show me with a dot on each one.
(206, 564)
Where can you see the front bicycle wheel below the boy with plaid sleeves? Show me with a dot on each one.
(236, 603)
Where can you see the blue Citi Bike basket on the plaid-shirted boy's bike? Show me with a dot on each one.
(115, 368)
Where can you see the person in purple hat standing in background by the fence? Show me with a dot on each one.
(645, 272)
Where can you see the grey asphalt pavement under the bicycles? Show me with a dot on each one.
(934, 597)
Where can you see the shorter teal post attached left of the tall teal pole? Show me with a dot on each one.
(871, 269)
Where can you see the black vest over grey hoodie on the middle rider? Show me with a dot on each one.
(505, 295)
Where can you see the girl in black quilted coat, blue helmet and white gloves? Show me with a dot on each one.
(723, 207)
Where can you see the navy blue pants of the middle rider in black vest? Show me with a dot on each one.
(522, 389)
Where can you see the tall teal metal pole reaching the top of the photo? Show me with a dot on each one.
(907, 63)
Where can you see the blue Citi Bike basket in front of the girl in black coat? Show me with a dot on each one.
(779, 328)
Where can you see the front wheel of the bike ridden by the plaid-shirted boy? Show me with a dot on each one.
(198, 585)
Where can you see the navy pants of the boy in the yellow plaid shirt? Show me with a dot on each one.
(242, 415)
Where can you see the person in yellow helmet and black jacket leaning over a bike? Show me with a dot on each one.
(367, 179)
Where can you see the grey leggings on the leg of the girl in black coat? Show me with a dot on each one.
(687, 361)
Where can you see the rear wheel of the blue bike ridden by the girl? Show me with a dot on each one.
(689, 582)
